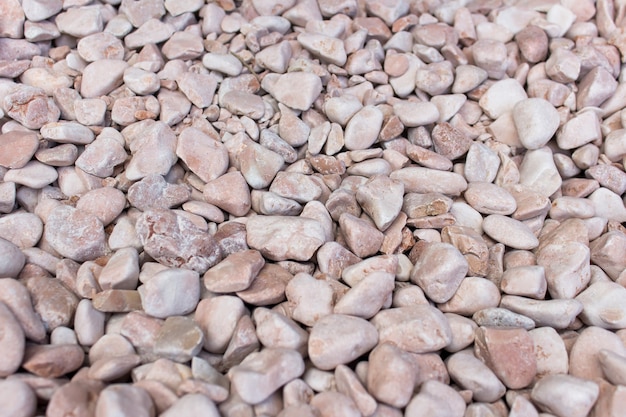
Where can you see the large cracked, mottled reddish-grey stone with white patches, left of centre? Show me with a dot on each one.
(175, 241)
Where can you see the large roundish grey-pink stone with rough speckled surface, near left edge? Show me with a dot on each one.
(75, 234)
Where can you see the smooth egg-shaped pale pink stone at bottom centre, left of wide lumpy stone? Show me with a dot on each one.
(338, 339)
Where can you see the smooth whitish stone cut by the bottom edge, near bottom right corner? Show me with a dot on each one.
(565, 395)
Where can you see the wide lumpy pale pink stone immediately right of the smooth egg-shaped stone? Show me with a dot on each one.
(418, 329)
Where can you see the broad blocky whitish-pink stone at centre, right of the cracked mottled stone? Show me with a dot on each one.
(283, 237)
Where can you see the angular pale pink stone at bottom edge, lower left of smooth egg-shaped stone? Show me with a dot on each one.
(261, 374)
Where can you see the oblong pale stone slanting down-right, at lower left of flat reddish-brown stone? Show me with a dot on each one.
(472, 374)
